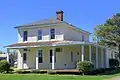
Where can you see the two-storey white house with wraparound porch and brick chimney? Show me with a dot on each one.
(56, 44)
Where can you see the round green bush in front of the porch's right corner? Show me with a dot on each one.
(84, 66)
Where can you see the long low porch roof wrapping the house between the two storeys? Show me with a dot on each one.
(47, 43)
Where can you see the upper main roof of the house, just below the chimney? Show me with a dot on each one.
(47, 22)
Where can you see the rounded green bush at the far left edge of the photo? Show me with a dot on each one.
(4, 66)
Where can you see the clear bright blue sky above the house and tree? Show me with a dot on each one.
(85, 14)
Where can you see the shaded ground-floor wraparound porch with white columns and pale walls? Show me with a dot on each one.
(66, 59)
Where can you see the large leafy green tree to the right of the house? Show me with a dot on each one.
(108, 34)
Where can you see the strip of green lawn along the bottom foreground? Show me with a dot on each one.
(50, 77)
